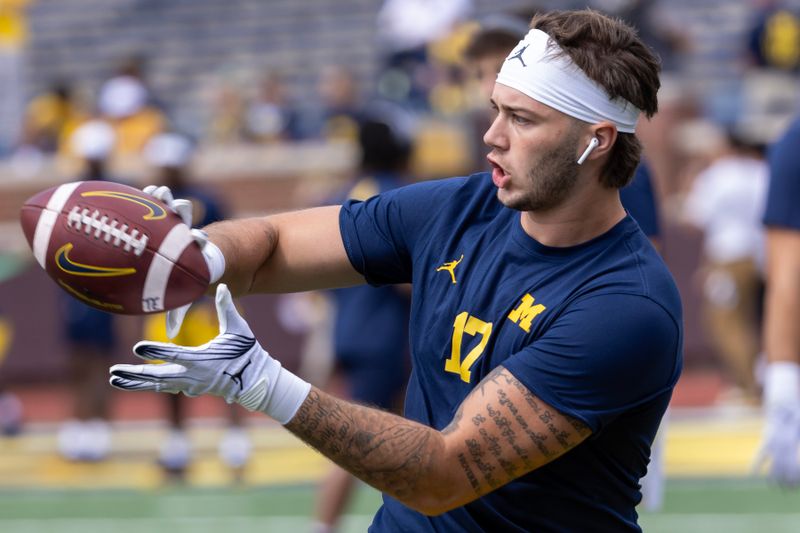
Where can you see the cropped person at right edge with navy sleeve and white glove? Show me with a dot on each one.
(781, 440)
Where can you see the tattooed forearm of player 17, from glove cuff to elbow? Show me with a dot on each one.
(389, 452)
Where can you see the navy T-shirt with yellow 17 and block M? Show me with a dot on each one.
(595, 330)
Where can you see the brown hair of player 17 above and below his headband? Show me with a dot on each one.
(610, 53)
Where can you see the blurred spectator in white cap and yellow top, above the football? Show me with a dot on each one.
(126, 102)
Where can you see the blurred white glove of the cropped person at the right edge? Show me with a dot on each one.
(780, 444)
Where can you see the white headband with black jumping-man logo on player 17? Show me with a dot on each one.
(550, 77)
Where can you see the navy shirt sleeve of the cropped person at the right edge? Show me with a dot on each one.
(783, 198)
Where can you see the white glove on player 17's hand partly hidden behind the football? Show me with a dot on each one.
(212, 254)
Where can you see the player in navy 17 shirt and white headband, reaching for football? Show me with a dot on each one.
(545, 329)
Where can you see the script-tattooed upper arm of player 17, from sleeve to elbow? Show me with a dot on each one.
(502, 431)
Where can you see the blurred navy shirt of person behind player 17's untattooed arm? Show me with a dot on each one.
(370, 334)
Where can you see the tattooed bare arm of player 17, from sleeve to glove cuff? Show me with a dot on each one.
(500, 432)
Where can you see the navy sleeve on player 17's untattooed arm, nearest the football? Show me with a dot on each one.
(381, 234)
